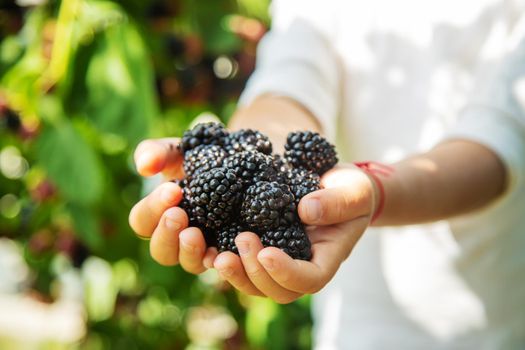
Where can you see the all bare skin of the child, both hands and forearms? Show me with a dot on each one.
(456, 177)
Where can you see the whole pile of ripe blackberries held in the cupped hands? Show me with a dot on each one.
(234, 183)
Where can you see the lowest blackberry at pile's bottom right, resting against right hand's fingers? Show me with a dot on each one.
(292, 240)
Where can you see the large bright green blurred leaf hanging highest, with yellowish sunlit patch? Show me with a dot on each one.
(119, 83)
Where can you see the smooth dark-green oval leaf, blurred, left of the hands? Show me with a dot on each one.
(71, 163)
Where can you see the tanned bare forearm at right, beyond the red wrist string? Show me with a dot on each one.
(454, 178)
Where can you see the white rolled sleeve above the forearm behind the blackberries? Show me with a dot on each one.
(296, 59)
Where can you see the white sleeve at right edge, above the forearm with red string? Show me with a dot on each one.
(495, 115)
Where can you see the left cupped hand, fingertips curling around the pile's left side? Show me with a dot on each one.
(156, 216)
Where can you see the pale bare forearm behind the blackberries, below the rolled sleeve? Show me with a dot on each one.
(276, 117)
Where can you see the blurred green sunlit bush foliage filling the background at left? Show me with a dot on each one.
(81, 83)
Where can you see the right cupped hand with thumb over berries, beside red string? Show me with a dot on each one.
(338, 215)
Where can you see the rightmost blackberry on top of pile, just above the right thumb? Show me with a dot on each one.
(309, 150)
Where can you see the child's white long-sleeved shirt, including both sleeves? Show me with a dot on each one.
(388, 78)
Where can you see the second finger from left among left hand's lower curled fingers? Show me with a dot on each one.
(164, 244)
